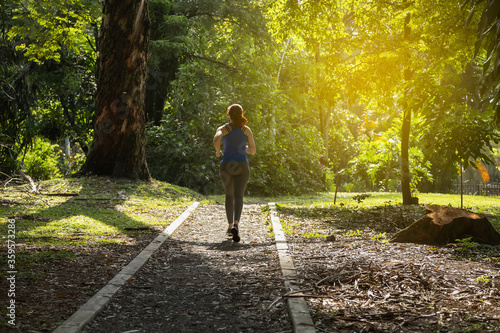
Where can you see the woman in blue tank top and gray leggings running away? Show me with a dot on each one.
(237, 139)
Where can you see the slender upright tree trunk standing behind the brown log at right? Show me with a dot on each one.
(405, 131)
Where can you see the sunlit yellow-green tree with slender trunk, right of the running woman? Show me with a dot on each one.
(382, 55)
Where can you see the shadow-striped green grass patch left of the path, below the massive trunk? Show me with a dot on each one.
(104, 211)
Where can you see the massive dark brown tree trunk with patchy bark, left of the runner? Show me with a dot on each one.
(118, 148)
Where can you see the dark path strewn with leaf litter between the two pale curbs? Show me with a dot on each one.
(201, 281)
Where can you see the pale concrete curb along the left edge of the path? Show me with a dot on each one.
(89, 310)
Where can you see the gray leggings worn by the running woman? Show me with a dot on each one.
(234, 176)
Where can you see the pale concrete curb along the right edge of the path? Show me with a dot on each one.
(297, 306)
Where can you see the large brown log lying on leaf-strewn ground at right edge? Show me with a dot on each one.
(443, 224)
